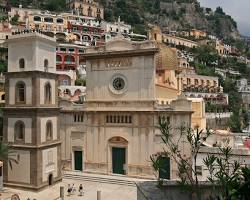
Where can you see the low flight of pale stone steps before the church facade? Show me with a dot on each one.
(109, 180)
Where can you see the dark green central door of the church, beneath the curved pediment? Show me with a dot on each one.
(118, 160)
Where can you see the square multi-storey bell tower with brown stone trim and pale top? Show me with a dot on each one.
(31, 112)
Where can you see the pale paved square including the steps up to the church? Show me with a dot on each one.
(111, 187)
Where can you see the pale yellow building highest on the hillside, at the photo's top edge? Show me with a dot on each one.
(88, 8)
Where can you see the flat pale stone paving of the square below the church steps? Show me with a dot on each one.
(108, 192)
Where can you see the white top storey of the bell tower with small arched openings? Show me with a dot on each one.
(31, 51)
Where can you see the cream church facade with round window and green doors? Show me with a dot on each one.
(115, 131)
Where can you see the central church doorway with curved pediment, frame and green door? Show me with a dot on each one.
(119, 155)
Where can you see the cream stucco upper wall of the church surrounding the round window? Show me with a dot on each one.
(139, 77)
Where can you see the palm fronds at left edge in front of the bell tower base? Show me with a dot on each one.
(7, 154)
